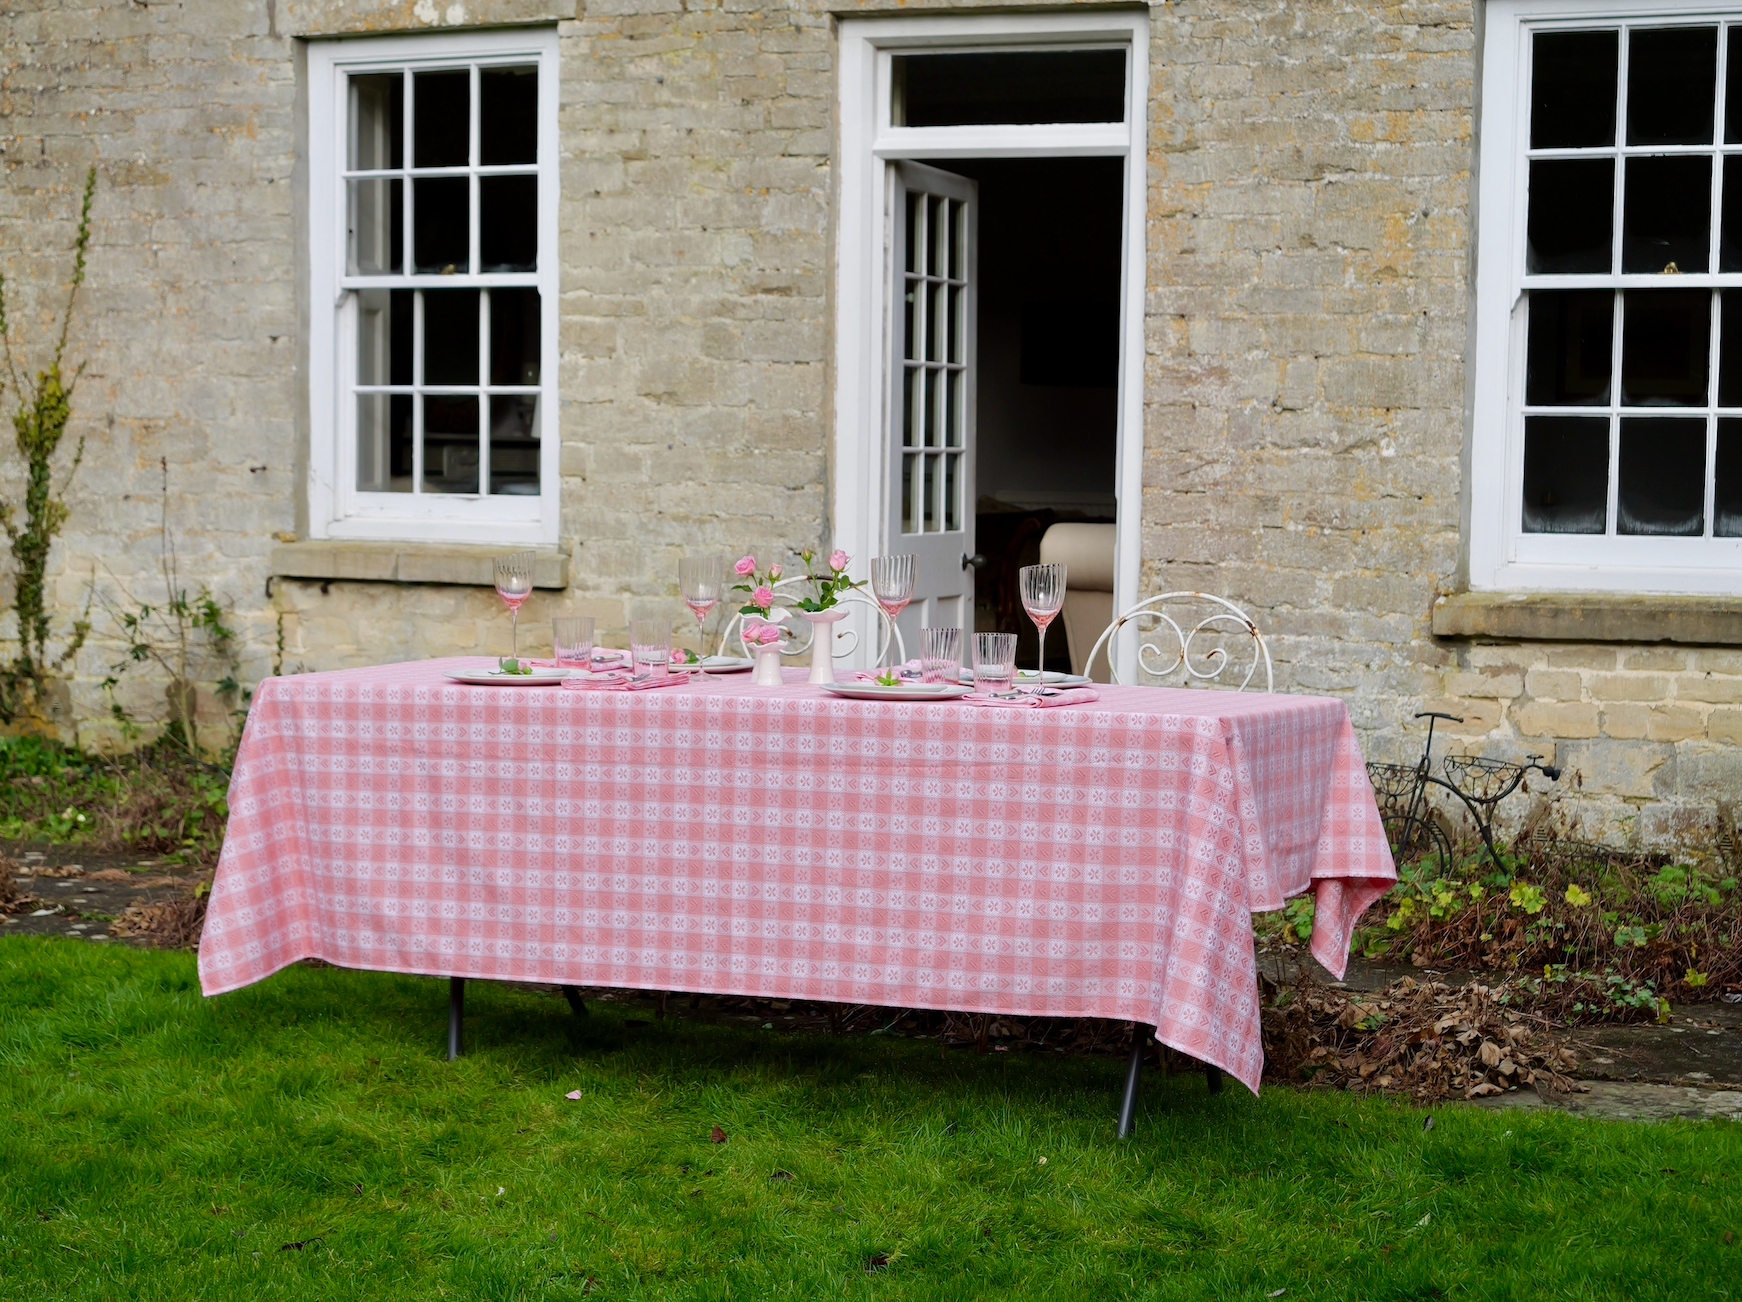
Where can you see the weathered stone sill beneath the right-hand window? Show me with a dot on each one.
(1710, 621)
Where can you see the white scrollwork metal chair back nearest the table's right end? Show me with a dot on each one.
(1194, 651)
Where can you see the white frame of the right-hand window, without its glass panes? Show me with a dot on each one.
(1501, 555)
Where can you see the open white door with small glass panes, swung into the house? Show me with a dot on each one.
(933, 280)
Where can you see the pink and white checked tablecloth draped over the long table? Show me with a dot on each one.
(1097, 860)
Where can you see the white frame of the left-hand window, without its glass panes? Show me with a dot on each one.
(337, 510)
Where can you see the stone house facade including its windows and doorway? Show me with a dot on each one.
(1318, 391)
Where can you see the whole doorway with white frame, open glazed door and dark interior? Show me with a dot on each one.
(990, 302)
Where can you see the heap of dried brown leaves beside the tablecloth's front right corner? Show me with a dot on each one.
(1422, 1040)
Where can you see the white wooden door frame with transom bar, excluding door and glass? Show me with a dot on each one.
(865, 154)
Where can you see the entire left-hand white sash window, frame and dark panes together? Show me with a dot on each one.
(433, 259)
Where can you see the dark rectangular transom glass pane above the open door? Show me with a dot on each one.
(1037, 86)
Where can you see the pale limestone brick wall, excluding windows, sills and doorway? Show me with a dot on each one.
(1309, 268)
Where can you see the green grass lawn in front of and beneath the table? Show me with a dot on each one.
(163, 1146)
